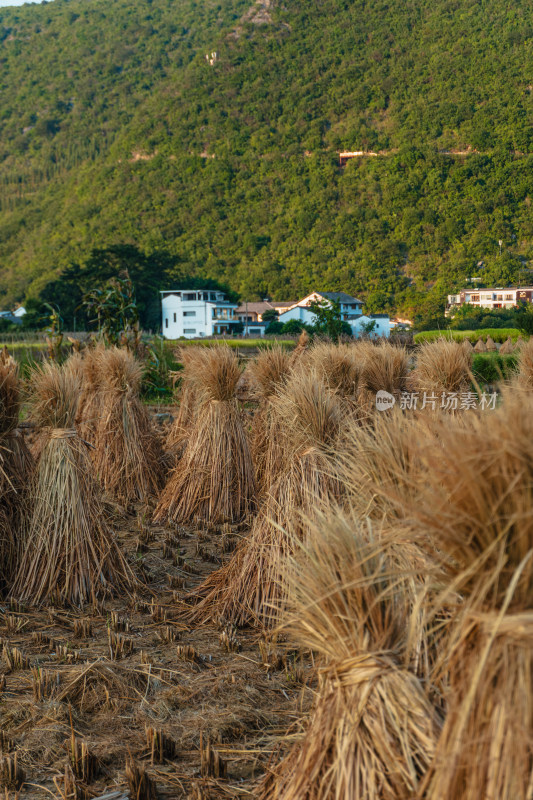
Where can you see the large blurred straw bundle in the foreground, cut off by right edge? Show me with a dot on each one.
(474, 512)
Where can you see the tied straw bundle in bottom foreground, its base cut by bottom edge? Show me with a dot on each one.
(372, 730)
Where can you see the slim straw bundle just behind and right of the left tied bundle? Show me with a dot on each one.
(128, 453)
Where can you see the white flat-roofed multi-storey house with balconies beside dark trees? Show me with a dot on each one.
(197, 312)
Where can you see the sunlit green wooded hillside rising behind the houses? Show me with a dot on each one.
(115, 130)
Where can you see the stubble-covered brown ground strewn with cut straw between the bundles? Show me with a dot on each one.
(199, 709)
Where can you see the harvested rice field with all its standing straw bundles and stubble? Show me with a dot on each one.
(311, 579)
